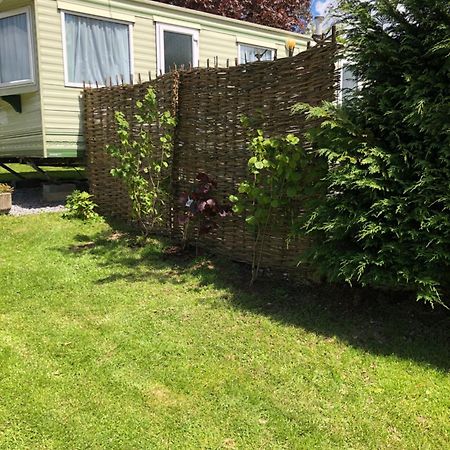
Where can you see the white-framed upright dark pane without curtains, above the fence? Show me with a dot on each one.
(177, 47)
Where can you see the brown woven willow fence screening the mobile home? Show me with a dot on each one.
(210, 138)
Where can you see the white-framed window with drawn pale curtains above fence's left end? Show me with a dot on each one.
(97, 50)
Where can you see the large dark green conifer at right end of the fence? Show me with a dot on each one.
(386, 219)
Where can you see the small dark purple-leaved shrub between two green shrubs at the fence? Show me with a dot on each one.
(201, 207)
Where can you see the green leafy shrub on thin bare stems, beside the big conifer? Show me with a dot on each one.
(276, 184)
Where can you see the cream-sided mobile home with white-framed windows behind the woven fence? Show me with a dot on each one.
(48, 48)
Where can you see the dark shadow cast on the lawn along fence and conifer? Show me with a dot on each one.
(394, 326)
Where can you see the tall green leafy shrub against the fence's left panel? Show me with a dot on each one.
(142, 163)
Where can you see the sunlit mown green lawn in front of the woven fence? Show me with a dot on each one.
(105, 345)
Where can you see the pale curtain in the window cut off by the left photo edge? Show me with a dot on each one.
(14, 49)
